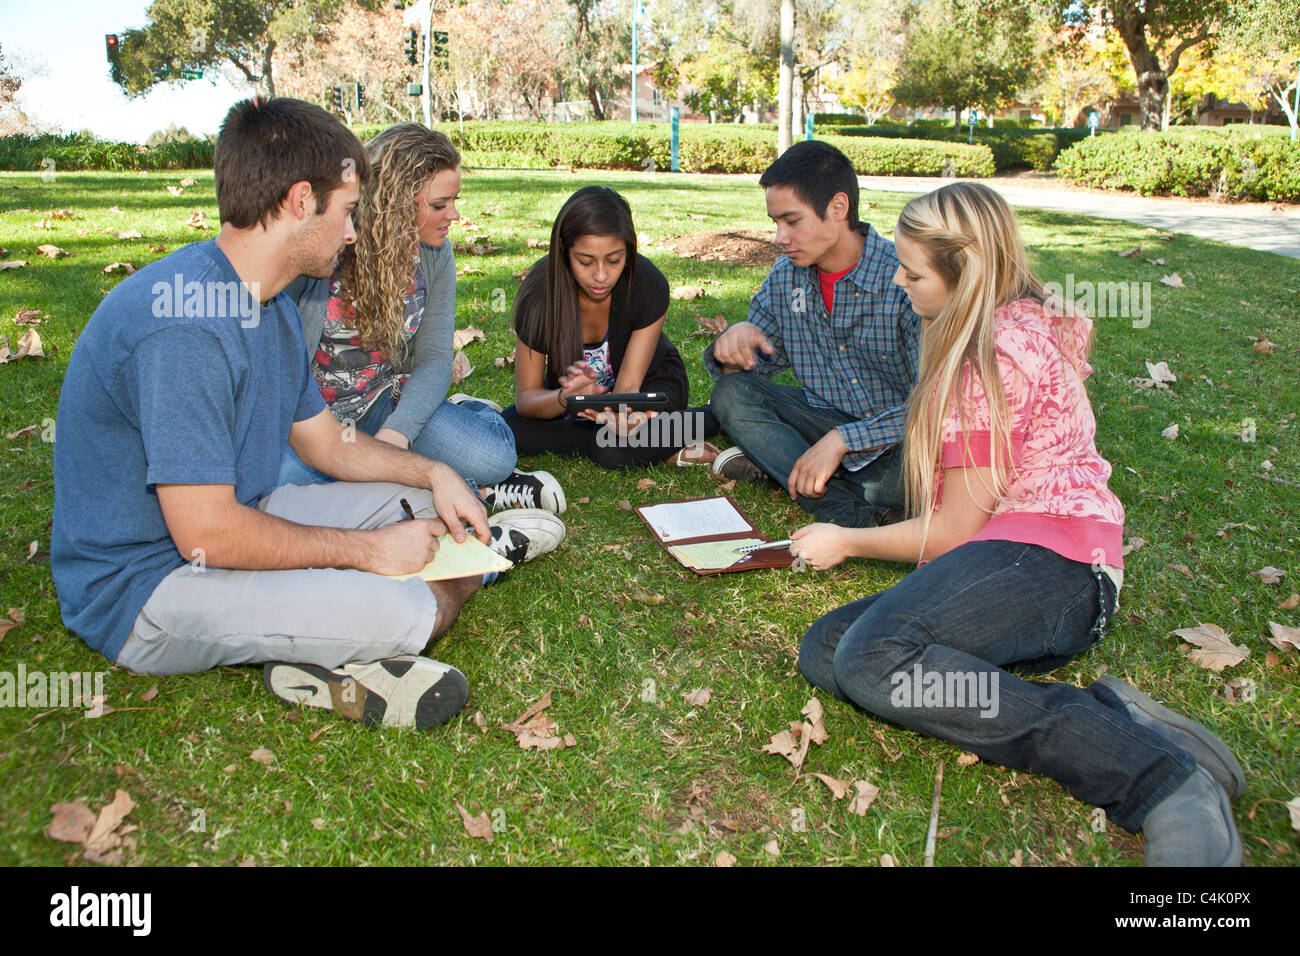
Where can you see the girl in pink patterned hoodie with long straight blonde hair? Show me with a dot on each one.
(1020, 550)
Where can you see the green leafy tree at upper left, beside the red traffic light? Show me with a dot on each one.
(190, 36)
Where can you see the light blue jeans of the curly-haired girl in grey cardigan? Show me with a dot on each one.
(470, 438)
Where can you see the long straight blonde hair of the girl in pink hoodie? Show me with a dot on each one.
(972, 240)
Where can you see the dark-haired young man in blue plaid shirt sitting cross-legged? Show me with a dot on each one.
(830, 313)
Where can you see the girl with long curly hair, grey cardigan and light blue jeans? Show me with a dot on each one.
(380, 331)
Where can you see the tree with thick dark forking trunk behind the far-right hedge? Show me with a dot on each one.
(1149, 29)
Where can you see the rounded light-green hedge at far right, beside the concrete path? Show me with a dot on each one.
(1190, 163)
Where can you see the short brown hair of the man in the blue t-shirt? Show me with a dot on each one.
(267, 146)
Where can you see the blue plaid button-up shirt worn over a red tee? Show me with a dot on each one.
(860, 360)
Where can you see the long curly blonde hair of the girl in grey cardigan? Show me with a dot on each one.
(376, 270)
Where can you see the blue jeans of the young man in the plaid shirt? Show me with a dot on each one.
(775, 425)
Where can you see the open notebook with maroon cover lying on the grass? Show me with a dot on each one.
(703, 535)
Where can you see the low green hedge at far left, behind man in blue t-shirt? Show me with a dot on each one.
(75, 152)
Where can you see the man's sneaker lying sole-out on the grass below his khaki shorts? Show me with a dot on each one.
(396, 693)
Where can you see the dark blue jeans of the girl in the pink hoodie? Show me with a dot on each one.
(981, 608)
